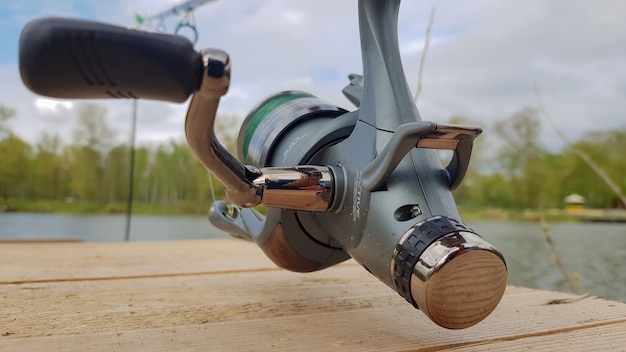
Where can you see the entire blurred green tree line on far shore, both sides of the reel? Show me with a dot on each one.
(510, 167)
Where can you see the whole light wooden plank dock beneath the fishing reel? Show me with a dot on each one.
(224, 295)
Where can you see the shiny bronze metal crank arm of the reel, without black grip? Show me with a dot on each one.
(302, 187)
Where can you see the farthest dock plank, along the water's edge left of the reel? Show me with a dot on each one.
(22, 262)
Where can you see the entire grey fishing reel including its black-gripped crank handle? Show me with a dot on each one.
(364, 184)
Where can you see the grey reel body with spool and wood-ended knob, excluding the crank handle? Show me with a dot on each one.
(391, 206)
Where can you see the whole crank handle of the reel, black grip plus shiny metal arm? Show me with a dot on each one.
(69, 58)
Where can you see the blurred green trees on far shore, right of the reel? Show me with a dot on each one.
(512, 169)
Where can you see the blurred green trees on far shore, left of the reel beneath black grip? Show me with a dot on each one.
(91, 169)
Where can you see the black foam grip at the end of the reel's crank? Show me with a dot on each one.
(69, 58)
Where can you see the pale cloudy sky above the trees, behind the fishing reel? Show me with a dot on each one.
(487, 60)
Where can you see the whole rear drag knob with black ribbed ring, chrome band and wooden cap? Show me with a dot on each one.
(457, 279)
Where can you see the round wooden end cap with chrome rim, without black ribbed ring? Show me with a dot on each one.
(459, 280)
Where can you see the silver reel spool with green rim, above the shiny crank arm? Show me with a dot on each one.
(270, 121)
